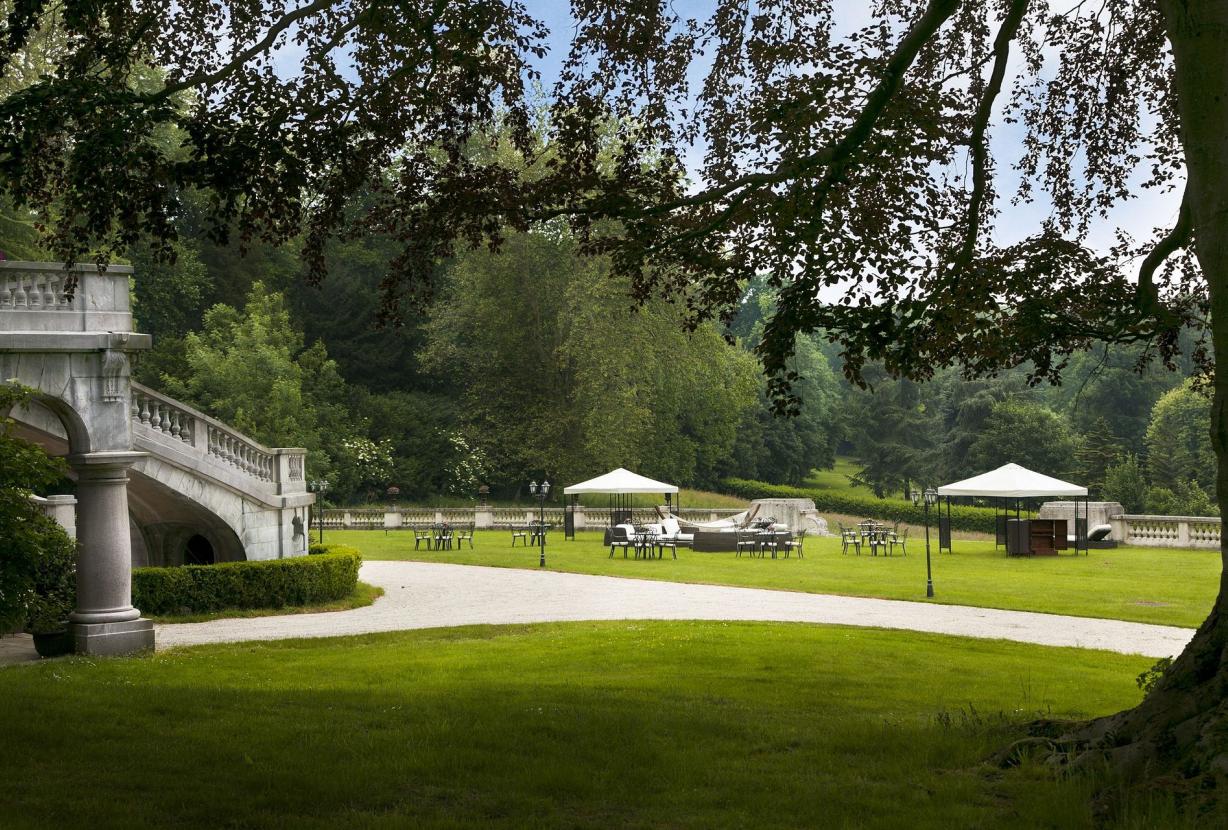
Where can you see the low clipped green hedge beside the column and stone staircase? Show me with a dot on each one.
(273, 584)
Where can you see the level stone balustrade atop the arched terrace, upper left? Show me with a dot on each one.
(49, 298)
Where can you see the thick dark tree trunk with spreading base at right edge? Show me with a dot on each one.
(1178, 737)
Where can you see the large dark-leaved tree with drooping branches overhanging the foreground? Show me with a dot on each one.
(858, 171)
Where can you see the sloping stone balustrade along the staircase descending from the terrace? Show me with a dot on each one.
(192, 436)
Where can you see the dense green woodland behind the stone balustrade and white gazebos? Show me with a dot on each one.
(534, 362)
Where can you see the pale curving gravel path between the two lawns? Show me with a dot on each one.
(428, 595)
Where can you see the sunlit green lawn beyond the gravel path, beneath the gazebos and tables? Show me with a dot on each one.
(1175, 588)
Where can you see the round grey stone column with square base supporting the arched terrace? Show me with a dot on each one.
(105, 622)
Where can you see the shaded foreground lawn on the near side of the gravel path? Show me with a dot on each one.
(604, 725)
